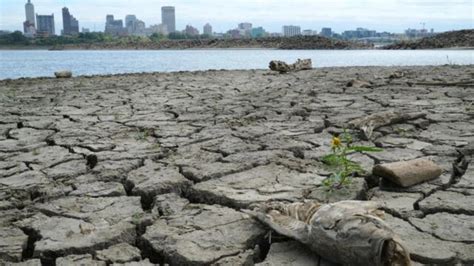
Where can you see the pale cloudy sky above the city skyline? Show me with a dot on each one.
(381, 15)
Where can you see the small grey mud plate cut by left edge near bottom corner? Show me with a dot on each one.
(12, 243)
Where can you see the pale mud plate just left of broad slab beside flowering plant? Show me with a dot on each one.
(153, 179)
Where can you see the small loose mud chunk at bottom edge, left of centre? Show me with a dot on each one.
(120, 253)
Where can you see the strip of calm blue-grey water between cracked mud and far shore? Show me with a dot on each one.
(39, 63)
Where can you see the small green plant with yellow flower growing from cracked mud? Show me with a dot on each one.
(344, 168)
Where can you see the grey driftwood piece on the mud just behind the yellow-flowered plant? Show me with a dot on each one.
(369, 123)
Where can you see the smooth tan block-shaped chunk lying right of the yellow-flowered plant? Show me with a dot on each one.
(408, 173)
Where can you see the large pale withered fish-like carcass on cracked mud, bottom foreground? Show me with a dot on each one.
(346, 232)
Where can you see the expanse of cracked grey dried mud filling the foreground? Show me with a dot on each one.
(155, 168)
